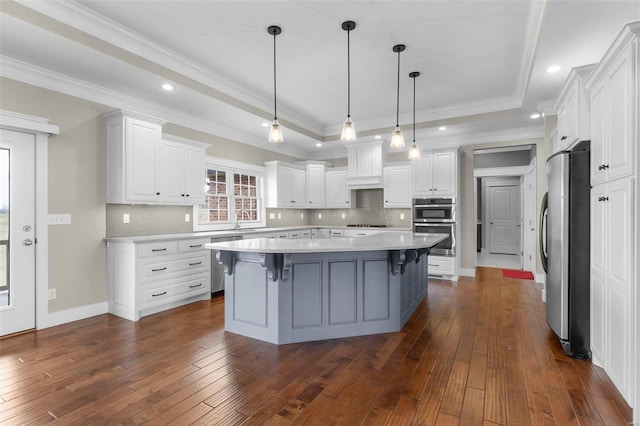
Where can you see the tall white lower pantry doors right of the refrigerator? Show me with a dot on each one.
(612, 290)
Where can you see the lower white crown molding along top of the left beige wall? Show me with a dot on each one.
(47, 79)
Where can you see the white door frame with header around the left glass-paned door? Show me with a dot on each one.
(41, 129)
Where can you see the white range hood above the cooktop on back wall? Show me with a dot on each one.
(365, 161)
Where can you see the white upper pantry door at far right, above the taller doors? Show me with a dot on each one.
(620, 118)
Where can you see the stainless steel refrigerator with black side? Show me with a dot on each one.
(564, 240)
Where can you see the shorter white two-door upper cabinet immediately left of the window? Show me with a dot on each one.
(183, 173)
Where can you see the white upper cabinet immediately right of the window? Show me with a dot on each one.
(285, 185)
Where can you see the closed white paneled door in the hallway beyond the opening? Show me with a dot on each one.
(504, 219)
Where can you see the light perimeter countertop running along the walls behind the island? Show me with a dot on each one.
(243, 232)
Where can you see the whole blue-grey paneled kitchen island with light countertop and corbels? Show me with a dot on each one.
(287, 291)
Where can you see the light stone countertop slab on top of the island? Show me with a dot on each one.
(382, 241)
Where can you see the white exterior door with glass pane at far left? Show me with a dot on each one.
(17, 233)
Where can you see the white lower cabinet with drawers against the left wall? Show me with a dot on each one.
(148, 277)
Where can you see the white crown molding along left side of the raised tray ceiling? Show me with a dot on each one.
(83, 19)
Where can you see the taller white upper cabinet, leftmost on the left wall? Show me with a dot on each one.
(134, 149)
